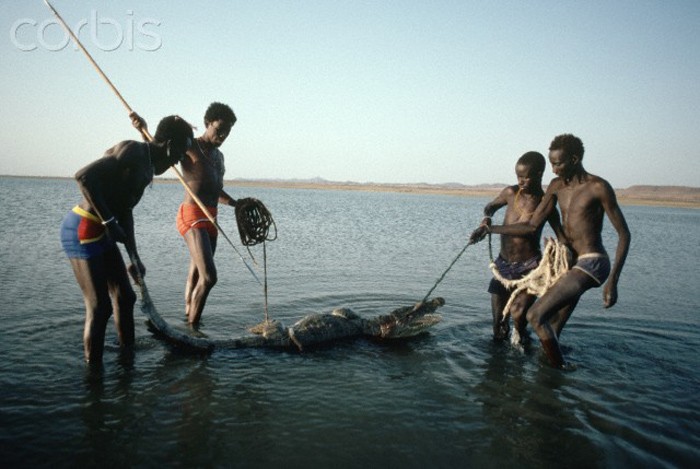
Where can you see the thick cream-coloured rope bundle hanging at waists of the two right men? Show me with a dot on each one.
(554, 264)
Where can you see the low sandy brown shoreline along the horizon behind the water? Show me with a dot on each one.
(663, 196)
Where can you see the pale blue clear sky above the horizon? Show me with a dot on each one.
(366, 91)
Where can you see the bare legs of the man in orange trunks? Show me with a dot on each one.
(202, 276)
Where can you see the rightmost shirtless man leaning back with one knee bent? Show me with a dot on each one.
(583, 199)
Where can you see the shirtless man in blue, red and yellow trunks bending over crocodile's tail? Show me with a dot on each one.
(111, 187)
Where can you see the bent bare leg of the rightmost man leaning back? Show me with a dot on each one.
(563, 294)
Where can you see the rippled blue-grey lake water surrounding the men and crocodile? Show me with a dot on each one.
(451, 398)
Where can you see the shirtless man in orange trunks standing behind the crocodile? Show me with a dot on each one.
(203, 170)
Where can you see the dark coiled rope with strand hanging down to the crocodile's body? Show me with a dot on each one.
(254, 221)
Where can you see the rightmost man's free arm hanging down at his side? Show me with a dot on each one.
(617, 219)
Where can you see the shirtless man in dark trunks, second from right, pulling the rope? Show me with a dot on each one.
(519, 255)
